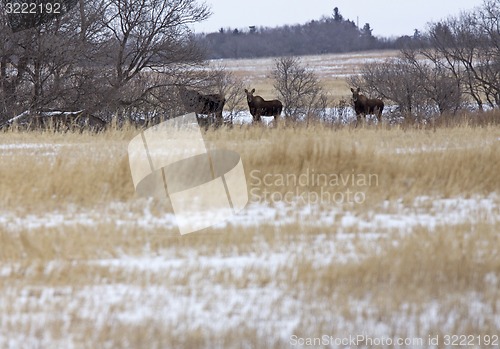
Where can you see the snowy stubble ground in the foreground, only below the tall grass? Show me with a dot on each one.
(185, 290)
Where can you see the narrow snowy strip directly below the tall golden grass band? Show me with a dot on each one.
(424, 211)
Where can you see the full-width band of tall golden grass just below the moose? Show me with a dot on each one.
(88, 169)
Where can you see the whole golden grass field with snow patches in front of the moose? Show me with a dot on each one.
(384, 232)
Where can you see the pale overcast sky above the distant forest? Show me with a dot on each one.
(386, 17)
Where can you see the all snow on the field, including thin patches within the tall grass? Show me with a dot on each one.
(164, 288)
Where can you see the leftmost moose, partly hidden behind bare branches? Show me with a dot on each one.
(210, 104)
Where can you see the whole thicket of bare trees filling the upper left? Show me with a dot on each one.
(118, 57)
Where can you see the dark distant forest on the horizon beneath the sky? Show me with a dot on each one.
(332, 34)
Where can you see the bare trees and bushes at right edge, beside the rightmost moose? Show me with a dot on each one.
(460, 61)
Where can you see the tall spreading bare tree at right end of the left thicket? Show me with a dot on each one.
(152, 36)
